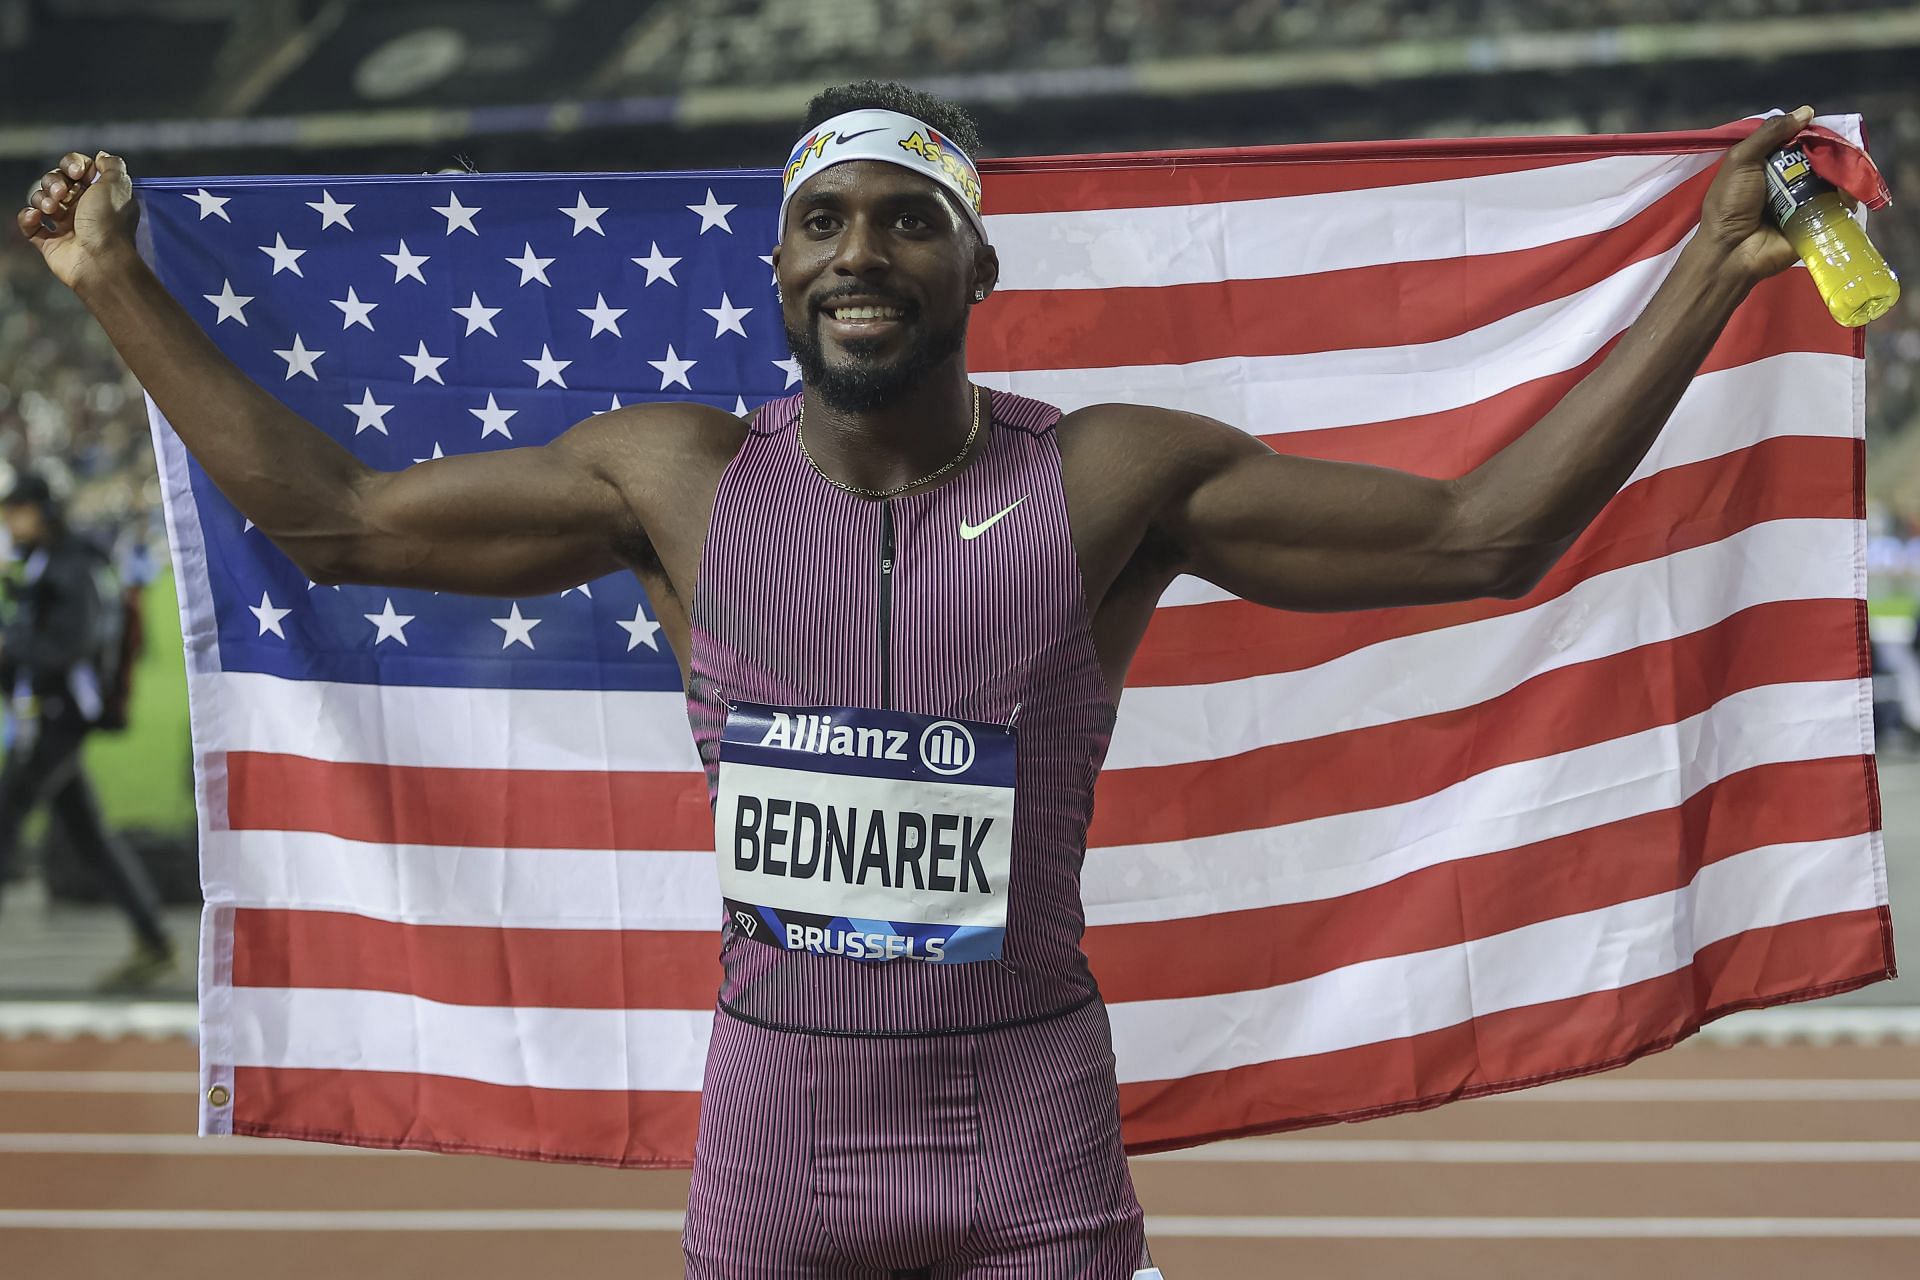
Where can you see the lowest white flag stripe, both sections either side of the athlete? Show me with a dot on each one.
(1155, 1039)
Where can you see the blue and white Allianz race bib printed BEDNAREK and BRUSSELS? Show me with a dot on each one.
(867, 834)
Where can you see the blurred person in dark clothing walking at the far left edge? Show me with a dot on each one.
(60, 657)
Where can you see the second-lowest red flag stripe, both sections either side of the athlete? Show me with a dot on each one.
(1222, 953)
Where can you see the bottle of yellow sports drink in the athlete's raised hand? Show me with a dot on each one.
(1846, 268)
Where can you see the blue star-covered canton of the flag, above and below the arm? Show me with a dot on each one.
(418, 318)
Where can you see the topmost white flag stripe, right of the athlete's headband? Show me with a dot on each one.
(1332, 231)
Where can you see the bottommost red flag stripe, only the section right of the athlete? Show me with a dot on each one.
(1516, 1049)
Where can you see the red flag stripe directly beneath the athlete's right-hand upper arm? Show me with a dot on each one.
(1675, 510)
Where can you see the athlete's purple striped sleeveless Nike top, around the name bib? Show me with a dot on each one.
(792, 609)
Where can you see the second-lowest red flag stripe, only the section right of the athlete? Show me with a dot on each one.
(1487, 895)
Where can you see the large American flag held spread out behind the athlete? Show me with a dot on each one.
(458, 851)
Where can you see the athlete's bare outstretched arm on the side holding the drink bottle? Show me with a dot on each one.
(1312, 534)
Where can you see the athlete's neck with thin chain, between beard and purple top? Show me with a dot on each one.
(886, 448)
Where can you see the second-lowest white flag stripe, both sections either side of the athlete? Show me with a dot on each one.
(1299, 863)
